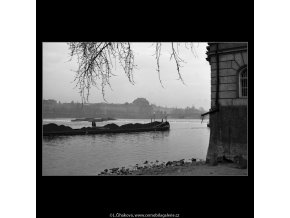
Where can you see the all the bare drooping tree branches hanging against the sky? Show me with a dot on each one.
(95, 63)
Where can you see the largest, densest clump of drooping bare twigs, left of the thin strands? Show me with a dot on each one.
(95, 64)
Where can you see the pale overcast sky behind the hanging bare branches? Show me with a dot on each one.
(58, 77)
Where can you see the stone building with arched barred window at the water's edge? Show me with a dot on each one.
(229, 100)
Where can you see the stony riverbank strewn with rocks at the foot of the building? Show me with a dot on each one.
(179, 168)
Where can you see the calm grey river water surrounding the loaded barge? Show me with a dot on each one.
(91, 154)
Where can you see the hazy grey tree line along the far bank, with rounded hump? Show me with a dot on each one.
(139, 108)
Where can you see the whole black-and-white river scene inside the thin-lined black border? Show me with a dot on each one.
(145, 108)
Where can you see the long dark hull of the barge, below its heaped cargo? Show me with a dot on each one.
(104, 131)
